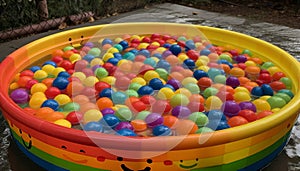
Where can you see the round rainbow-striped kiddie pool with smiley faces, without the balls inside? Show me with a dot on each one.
(248, 147)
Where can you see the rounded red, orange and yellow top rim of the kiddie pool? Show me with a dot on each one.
(15, 61)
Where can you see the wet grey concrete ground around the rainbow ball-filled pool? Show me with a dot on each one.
(284, 37)
